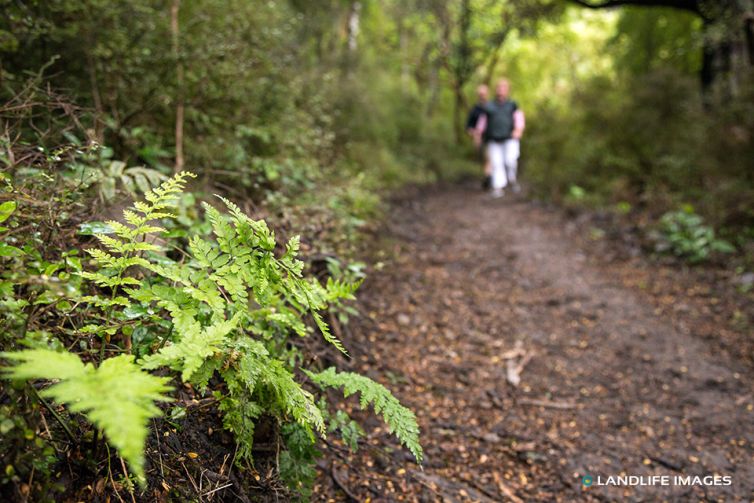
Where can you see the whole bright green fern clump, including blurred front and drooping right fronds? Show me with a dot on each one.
(225, 312)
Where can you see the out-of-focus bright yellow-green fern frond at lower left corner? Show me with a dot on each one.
(117, 396)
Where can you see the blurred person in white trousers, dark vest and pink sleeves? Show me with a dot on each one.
(502, 124)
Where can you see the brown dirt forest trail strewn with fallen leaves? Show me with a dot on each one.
(609, 384)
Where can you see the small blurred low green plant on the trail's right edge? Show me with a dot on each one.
(684, 234)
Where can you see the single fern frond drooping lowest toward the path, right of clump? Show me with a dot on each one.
(399, 419)
